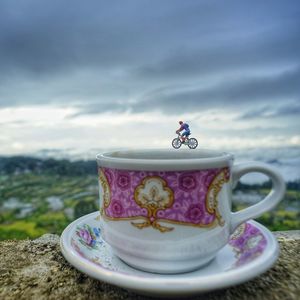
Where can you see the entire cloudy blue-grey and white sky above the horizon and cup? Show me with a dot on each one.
(88, 75)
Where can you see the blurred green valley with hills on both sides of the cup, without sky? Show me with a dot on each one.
(40, 196)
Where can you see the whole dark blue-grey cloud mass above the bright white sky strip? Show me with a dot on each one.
(144, 55)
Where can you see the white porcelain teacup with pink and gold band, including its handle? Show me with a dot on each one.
(168, 211)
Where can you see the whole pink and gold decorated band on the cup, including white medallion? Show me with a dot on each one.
(162, 197)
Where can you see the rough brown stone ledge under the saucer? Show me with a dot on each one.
(37, 270)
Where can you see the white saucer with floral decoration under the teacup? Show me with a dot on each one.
(251, 250)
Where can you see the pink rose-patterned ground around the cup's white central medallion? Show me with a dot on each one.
(189, 191)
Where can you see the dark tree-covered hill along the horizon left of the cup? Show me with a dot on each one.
(25, 164)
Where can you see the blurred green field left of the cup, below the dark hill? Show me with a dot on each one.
(25, 211)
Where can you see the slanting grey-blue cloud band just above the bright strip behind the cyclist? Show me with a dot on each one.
(262, 96)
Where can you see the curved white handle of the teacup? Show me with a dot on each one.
(269, 202)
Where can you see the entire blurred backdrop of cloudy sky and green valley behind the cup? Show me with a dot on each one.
(78, 78)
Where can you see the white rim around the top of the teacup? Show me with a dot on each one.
(181, 159)
